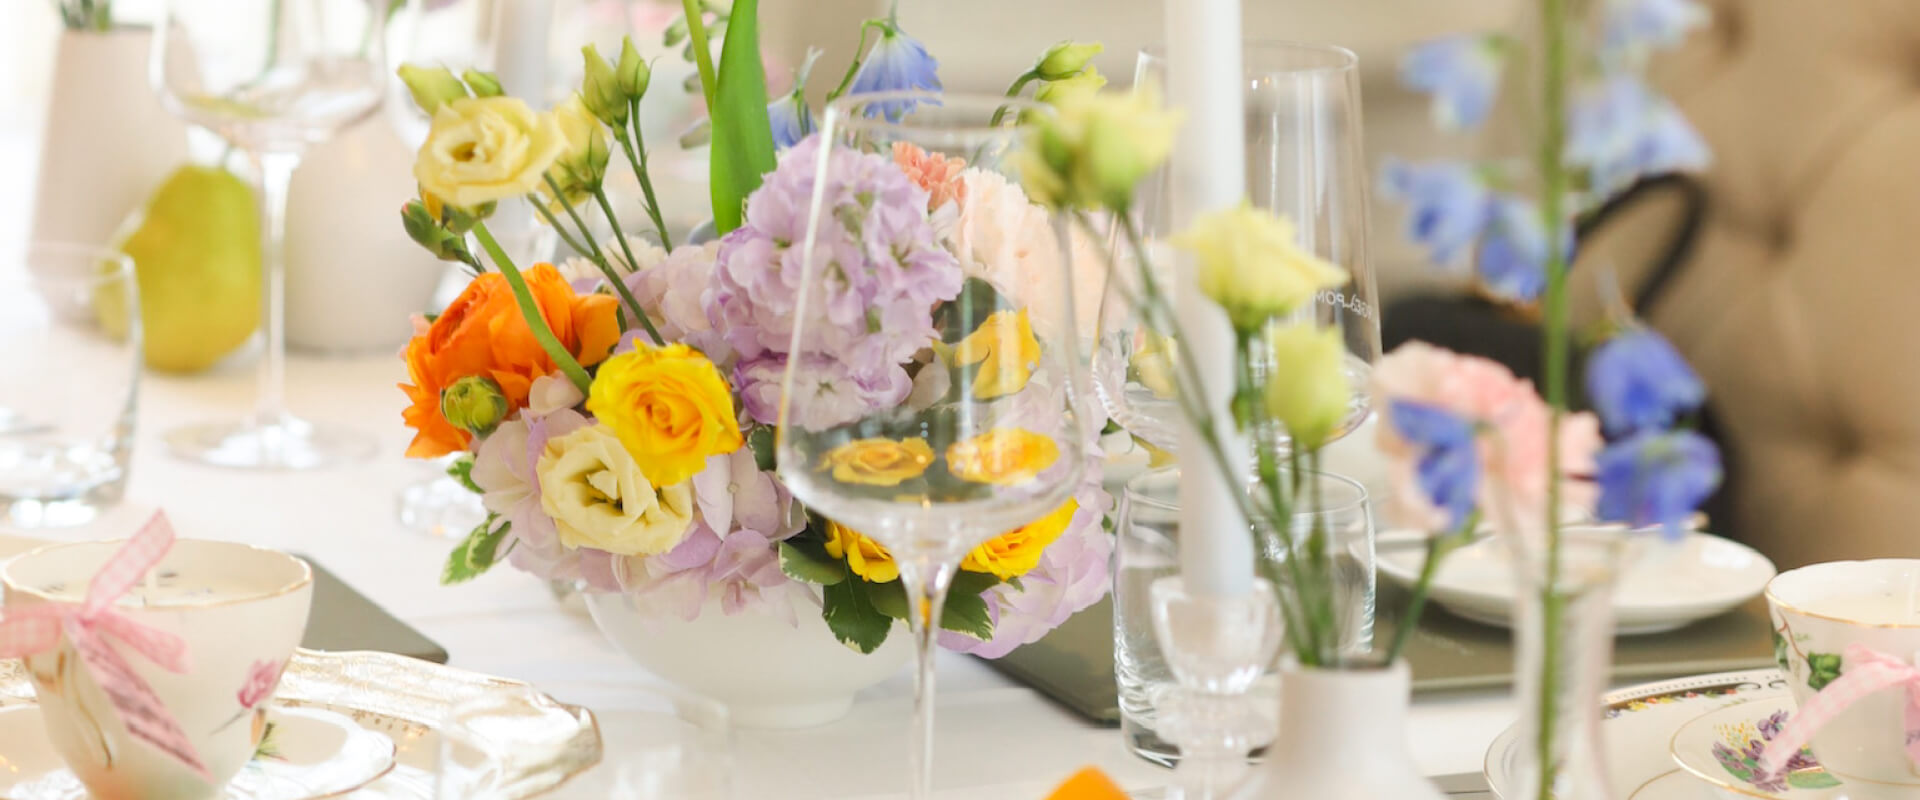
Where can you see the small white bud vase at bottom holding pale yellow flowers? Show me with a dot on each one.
(1343, 738)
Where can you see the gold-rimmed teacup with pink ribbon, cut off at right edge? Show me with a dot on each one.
(1823, 609)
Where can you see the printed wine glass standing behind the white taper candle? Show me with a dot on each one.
(1305, 162)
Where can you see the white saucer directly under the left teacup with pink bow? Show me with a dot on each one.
(306, 755)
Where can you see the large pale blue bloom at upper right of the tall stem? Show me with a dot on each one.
(1621, 131)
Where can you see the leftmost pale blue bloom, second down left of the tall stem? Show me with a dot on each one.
(1449, 204)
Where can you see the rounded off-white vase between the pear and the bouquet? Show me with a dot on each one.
(352, 273)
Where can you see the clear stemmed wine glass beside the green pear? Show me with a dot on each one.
(272, 78)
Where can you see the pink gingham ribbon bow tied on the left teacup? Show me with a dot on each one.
(91, 624)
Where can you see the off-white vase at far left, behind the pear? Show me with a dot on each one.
(107, 143)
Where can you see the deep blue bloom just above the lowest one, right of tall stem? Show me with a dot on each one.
(1639, 383)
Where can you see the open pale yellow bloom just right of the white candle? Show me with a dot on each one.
(1255, 268)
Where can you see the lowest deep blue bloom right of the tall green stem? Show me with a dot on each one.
(1656, 479)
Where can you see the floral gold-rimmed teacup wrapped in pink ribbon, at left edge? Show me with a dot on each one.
(241, 613)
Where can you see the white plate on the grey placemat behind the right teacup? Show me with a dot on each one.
(1664, 584)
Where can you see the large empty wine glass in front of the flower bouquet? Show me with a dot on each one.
(994, 413)
